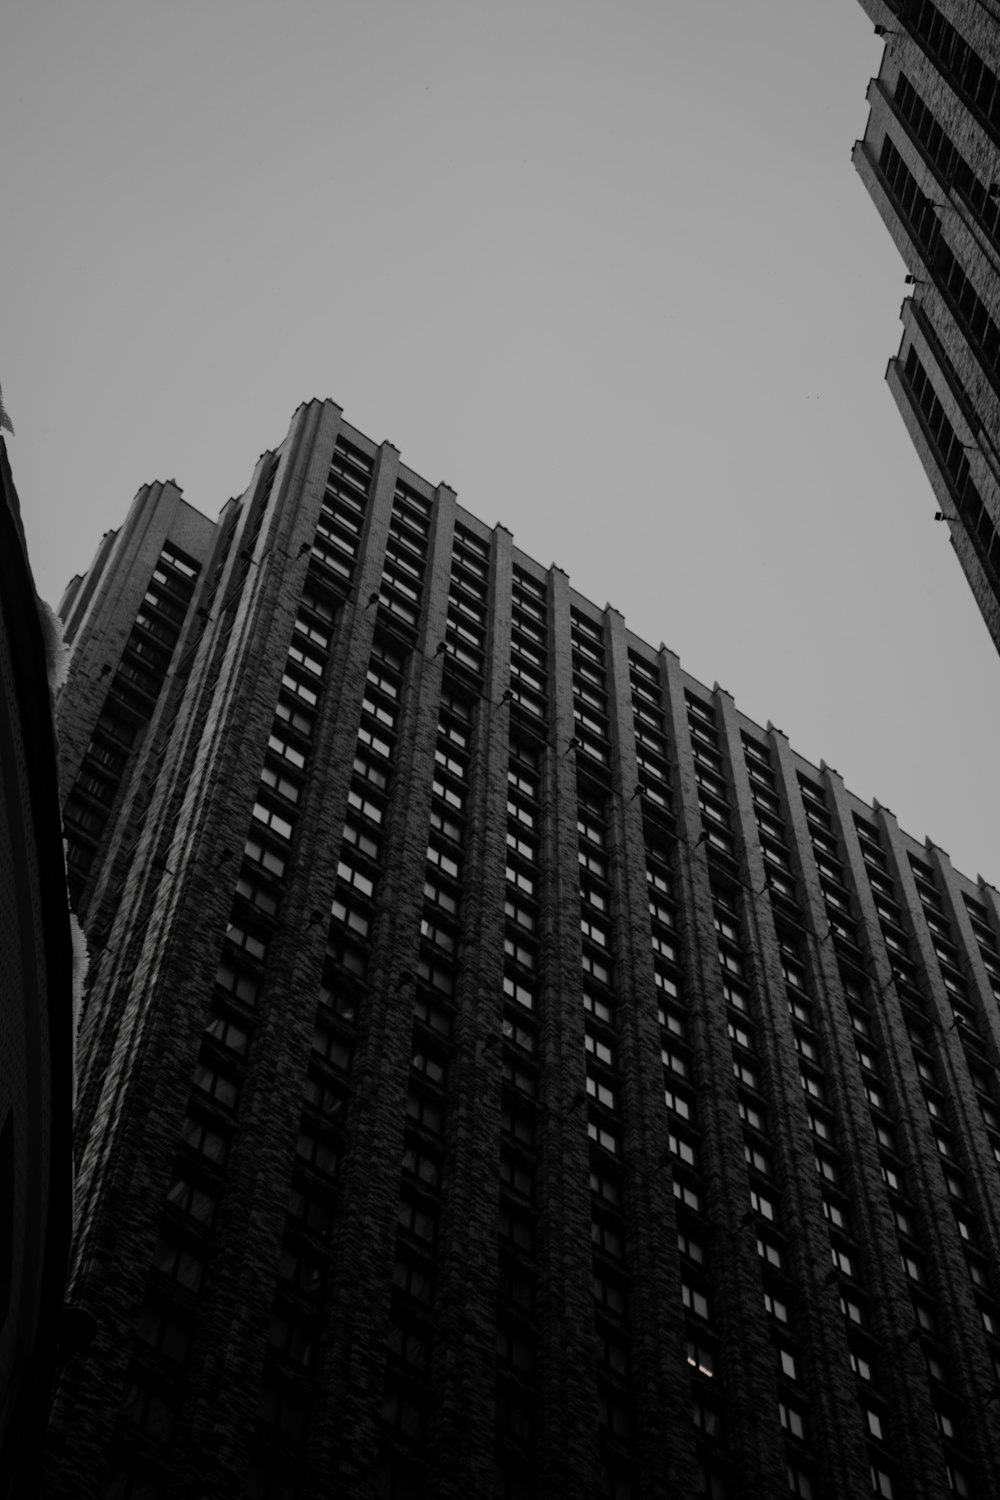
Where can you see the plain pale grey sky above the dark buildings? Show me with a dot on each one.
(606, 269)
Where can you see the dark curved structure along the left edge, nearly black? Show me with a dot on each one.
(37, 1018)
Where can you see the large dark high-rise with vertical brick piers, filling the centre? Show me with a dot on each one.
(507, 1070)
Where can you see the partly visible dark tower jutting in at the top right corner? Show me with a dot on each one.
(932, 163)
